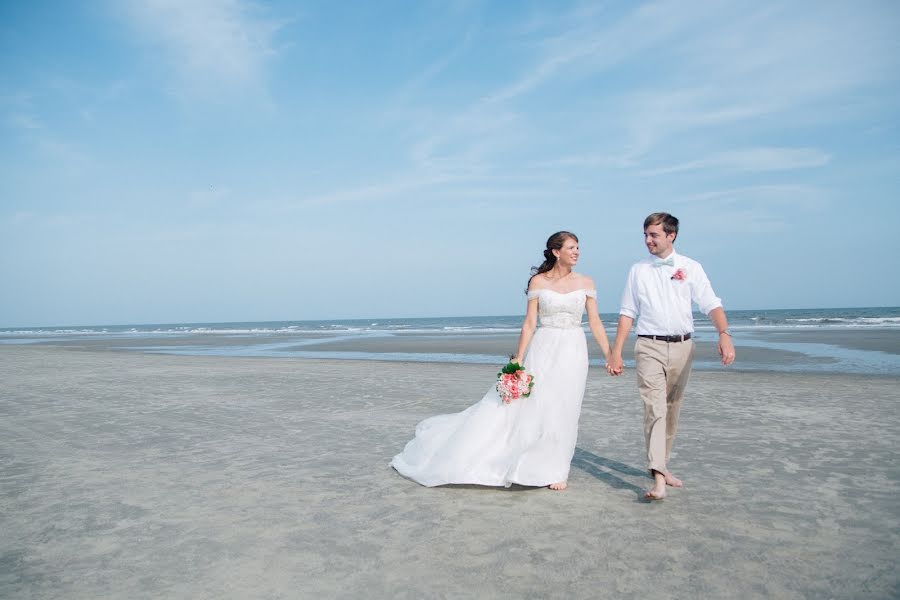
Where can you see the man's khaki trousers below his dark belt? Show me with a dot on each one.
(663, 369)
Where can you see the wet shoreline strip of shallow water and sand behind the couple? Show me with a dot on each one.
(873, 351)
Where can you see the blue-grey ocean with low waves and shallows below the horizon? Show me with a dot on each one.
(845, 340)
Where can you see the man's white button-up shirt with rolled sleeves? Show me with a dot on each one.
(661, 304)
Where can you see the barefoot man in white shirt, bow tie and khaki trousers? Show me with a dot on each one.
(659, 293)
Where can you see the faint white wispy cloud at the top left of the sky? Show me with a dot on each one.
(209, 42)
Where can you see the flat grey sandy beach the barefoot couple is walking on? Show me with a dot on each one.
(129, 475)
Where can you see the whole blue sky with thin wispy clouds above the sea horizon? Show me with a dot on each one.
(169, 161)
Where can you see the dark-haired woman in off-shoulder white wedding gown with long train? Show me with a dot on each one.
(530, 441)
